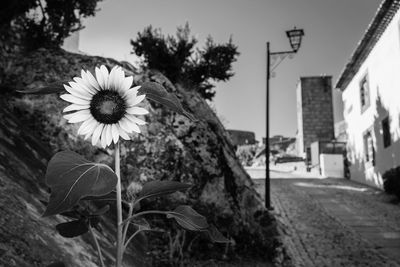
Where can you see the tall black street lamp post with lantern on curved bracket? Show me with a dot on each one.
(295, 36)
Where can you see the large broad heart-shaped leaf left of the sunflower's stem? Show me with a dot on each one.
(71, 177)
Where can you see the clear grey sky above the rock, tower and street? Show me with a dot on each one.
(332, 30)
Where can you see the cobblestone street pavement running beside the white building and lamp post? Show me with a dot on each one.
(336, 222)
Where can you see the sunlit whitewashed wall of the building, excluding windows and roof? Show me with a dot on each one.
(383, 67)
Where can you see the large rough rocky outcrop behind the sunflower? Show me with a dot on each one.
(171, 147)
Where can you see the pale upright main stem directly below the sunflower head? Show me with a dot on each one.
(119, 208)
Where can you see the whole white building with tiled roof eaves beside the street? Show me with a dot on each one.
(370, 85)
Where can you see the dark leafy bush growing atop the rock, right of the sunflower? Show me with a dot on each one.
(177, 58)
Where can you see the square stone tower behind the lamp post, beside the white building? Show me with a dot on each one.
(314, 112)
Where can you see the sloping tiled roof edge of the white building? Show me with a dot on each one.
(376, 28)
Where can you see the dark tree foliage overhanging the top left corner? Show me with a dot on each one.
(46, 23)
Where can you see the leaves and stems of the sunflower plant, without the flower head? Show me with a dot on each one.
(75, 181)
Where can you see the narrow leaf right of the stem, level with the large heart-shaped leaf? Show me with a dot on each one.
(159, 188)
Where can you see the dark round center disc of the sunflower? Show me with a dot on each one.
(107, 107)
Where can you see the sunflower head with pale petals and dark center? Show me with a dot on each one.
(106, 105)
